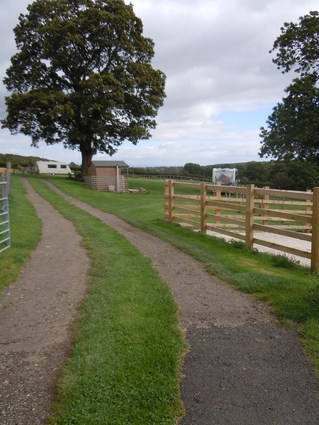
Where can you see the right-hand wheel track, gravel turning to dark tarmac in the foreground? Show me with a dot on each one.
(242, 368)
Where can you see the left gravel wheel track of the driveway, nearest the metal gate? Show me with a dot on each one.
(36, 313)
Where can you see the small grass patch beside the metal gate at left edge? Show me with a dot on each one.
(25, 234)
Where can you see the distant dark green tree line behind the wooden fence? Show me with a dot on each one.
(289, 175)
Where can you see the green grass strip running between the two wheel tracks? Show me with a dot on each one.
(125, 359)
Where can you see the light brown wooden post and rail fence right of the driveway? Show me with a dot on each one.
(247, 213)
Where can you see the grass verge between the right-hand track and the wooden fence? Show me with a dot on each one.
(291, 291)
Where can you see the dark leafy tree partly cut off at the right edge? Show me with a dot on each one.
(292, 128)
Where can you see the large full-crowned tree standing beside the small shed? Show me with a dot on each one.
(83, 76)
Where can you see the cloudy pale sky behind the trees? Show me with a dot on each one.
(221, 82)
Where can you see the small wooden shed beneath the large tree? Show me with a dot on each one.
(110, 176)
